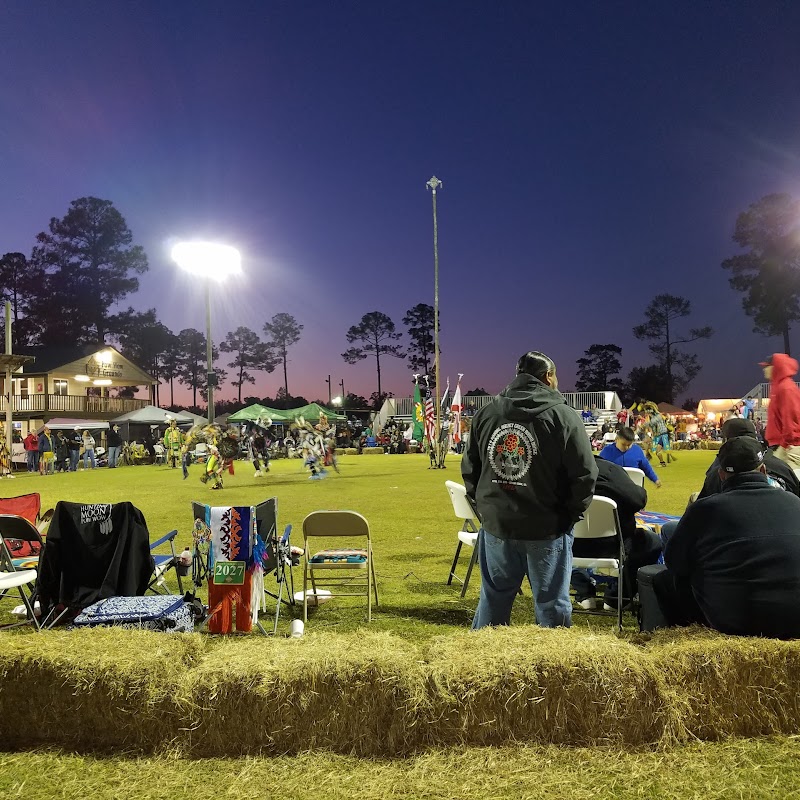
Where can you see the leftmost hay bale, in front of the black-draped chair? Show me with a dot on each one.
(103, 689)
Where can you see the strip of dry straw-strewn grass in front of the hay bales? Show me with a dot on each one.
(768, 768)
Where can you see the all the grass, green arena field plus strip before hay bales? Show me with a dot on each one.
(414, 533)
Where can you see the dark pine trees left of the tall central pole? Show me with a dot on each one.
(86, 265)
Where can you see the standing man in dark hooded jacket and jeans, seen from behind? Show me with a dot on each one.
(529, 471)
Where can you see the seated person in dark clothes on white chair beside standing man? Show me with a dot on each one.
(642, 547)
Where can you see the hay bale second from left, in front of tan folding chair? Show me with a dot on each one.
(359, 693)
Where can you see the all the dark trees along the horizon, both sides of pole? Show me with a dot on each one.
(86, 265)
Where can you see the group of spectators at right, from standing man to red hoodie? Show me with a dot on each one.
(732, 562)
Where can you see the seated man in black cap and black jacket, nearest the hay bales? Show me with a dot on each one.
(733, 562)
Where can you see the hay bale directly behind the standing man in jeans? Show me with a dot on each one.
(546, 686)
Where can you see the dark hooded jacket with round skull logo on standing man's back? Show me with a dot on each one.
(529, 466)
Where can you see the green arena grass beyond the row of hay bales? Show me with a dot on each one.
(410, 516)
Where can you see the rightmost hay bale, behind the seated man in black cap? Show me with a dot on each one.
(730, 685)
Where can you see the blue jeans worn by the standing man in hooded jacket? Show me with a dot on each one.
(505, 562)
